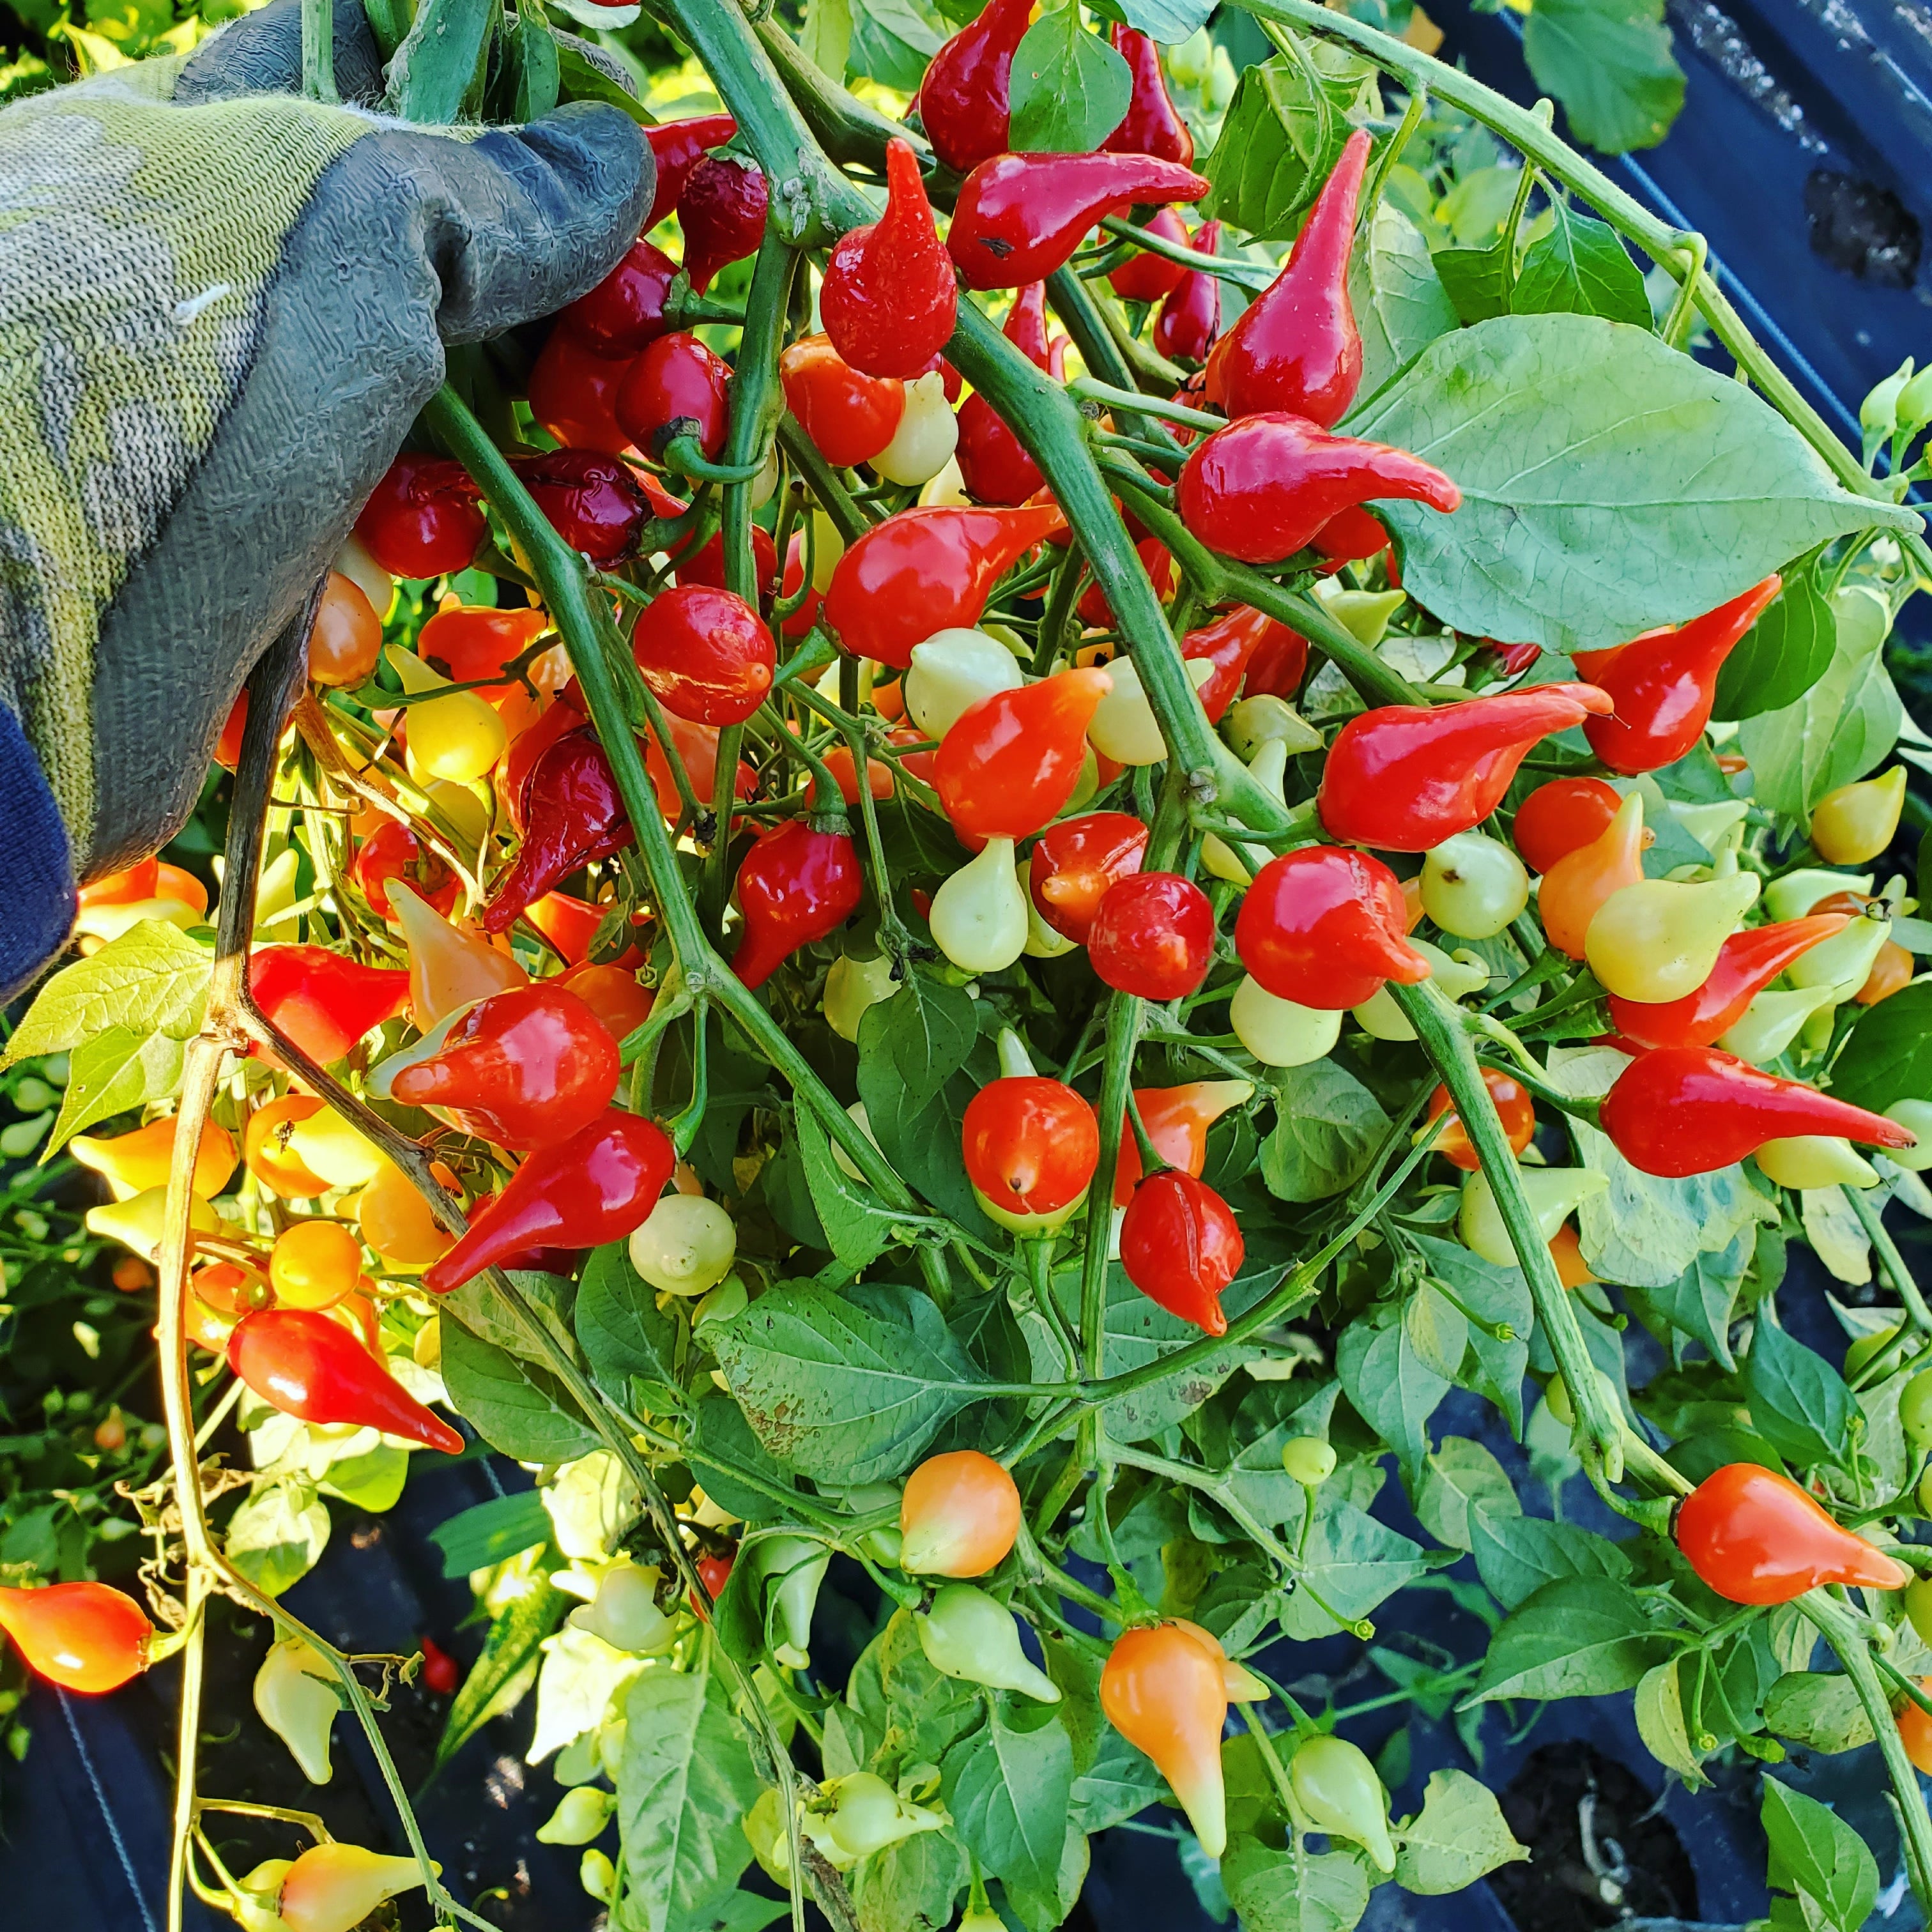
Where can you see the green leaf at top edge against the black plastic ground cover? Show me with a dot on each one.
(1610, 65)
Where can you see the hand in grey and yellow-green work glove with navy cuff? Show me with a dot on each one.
(221, 308)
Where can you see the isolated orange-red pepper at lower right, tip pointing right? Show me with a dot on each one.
(1755, 1537)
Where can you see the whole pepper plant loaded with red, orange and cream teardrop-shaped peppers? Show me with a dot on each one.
(961, 988)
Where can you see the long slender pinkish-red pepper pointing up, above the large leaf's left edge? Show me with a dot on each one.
(1295, 347)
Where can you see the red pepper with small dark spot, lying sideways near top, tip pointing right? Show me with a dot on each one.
(1019, 217)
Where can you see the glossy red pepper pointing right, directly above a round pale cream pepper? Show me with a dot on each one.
(1406, 778)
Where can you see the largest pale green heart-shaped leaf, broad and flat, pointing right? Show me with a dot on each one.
(1608, 482)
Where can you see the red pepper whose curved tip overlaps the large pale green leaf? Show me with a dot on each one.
(1266, 486)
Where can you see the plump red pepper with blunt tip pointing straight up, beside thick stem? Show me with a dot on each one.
(890, 298)
